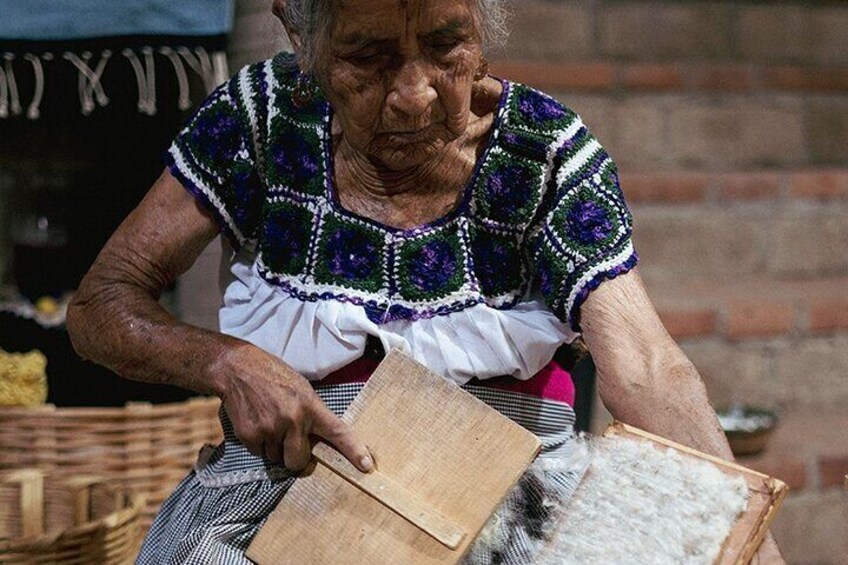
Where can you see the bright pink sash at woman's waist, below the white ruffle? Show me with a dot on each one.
(551, 383)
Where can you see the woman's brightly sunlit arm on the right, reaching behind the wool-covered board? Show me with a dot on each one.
(645, 379)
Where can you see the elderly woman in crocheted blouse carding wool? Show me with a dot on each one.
(381, 190)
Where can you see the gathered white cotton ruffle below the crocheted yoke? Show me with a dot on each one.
(316, 338)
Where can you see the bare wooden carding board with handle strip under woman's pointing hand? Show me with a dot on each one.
(442, 451)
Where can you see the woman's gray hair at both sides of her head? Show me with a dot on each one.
(311, 18)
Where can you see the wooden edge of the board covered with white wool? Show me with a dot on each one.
(766, 496)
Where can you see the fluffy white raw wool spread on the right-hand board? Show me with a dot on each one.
(642, 504)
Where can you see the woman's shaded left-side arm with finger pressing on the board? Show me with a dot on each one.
(115, 319)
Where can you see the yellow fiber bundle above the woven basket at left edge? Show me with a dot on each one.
(23, 380)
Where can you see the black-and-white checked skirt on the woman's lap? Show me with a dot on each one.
(219, 507)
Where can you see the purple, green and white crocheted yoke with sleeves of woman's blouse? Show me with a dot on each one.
(542, 212)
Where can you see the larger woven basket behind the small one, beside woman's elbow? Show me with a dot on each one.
(142, 448)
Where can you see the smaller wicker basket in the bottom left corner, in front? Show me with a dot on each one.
(66, 519)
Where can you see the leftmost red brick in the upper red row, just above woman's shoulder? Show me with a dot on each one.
(563, 76)
